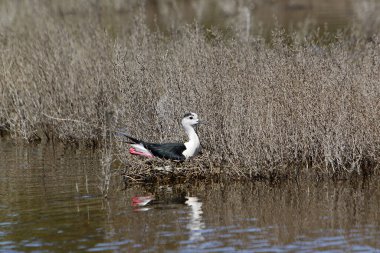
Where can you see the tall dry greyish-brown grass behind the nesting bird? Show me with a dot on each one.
(294, 103)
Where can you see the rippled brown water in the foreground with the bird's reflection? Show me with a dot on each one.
(50, 202)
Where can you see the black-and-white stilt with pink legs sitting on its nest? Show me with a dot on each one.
(172, 151)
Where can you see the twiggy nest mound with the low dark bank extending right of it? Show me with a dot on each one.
(159, 172)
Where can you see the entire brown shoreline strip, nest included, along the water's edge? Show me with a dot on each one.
(135, 170)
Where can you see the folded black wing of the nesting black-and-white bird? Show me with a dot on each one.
(171, 151)
